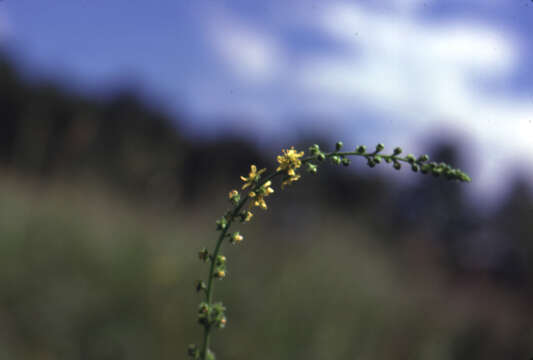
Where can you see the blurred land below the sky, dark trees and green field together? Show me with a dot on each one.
(99, 239)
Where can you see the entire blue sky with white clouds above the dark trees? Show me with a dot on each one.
(399, 71)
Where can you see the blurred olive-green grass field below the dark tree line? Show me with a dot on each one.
(86, 275)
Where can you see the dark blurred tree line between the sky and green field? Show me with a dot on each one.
(48, 133)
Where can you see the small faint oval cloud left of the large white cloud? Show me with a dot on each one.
(251, 54)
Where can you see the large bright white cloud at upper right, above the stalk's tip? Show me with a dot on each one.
(428, 75)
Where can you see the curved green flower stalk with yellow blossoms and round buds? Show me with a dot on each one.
(211, 314)
